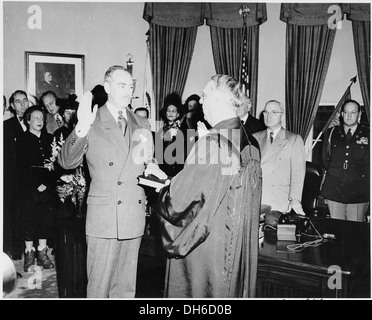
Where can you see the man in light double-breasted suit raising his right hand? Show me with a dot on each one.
(118, 147)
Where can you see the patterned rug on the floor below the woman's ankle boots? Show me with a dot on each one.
(37, 284)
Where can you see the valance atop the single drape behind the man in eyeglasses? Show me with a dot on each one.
(306, 14)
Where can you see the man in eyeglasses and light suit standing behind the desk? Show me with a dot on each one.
(283, 162)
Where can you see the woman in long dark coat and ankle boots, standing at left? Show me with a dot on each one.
(37, 185)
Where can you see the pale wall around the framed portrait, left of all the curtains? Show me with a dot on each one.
(104, 32)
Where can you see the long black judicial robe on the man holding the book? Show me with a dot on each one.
(224, 262)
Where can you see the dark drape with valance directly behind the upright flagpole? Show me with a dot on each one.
(227, 35)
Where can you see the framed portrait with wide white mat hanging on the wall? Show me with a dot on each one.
(58, 72)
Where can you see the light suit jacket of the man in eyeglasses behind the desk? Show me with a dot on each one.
(283, 168)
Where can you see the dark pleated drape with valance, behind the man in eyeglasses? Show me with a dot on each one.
(309, 43)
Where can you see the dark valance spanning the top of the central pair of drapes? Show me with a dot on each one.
(193, 14)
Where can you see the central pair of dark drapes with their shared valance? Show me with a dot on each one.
(172, 35)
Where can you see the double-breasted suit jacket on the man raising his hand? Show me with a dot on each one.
(115, 203)
